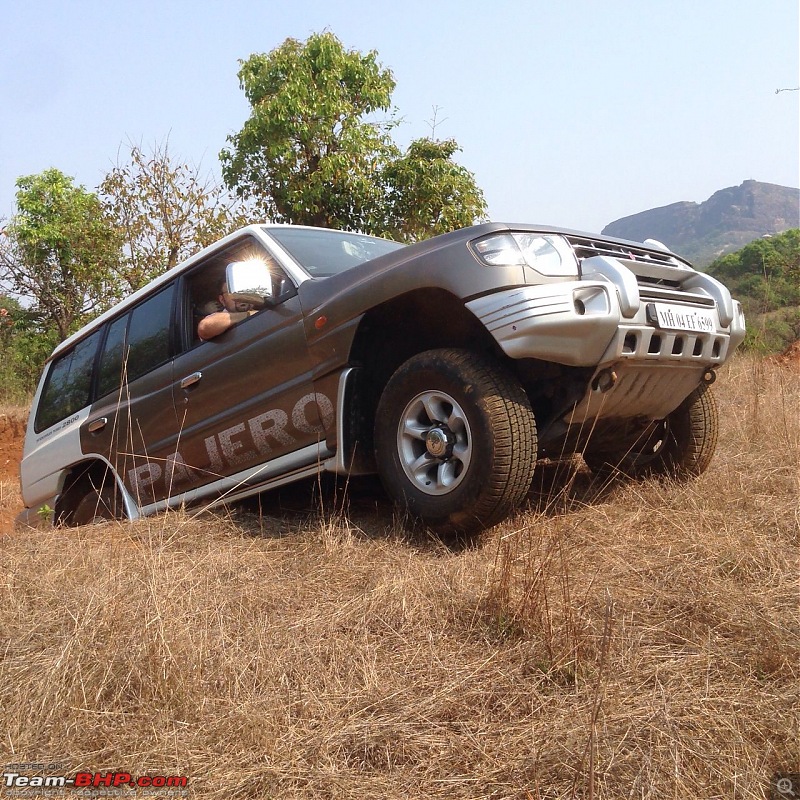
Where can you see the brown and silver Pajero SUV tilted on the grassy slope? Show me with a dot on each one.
(448, 367)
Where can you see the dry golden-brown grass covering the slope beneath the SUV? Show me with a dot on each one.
(631, 641)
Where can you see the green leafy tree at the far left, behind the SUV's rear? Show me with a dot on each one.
(60, 250)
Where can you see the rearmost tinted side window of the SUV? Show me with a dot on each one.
(68, 384)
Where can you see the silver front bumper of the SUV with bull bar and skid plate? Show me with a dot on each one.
(608, 321)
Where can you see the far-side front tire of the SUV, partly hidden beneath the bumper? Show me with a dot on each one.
(680, 446)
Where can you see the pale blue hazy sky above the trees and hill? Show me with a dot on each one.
(572, 113)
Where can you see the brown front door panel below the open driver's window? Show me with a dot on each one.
(244, 399)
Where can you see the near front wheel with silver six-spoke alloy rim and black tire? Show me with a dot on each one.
(455, 440)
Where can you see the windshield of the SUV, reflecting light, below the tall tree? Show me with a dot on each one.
(323, 253)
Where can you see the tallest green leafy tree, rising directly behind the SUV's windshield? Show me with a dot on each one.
(309, 154)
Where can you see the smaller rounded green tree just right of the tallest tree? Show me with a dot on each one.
(428, 193)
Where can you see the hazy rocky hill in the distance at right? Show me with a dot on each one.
(727, 221)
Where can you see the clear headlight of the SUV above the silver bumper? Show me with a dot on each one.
(548, 254)
